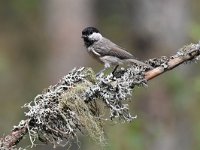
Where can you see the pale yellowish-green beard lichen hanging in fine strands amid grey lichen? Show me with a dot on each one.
(91, 122)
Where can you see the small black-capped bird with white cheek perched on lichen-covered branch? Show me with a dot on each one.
(106, 51)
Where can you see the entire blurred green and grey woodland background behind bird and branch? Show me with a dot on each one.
(40, 42)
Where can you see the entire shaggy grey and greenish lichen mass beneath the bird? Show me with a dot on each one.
(73, 105)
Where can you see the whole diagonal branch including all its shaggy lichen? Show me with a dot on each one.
(71, 105)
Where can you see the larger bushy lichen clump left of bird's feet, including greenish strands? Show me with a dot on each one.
(55, 114)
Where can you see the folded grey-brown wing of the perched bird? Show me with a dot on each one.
(108, 48)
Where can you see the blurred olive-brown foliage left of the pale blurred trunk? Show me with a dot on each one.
(22, 53)
